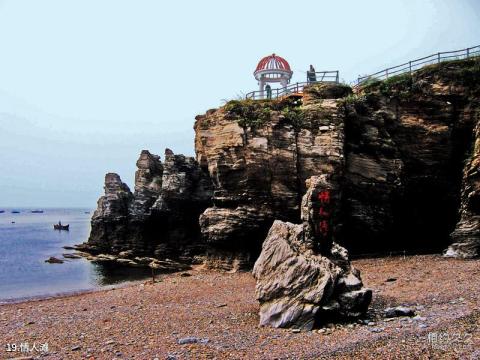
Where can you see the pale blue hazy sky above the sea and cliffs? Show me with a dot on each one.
(85, 85)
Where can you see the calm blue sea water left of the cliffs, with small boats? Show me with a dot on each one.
(28, 239)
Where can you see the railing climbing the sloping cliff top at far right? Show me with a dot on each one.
(414, 65)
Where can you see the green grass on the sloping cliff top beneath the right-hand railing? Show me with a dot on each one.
(465, 72)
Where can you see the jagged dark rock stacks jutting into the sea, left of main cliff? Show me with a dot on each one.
(161, 217)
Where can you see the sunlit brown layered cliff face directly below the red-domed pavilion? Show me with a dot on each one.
(259, 154)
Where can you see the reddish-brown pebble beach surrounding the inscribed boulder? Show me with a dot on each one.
(202, 314)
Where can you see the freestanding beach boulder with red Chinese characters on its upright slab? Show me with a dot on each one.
(303, 276)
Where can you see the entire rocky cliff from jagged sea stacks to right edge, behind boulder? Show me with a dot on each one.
(401, 153)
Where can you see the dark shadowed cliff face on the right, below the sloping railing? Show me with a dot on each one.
(407, 140)
